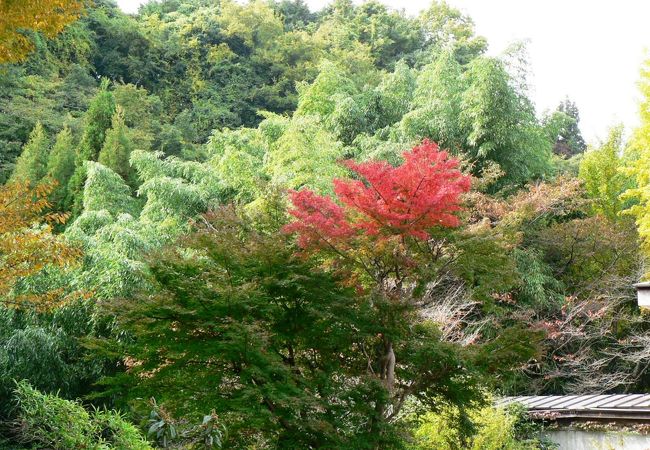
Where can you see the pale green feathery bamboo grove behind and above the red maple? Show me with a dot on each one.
(479, 110)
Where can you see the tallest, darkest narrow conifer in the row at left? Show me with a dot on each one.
(97, 122)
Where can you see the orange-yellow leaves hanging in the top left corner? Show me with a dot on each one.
(47, 16)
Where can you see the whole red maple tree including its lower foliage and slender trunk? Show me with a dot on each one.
(369, 231)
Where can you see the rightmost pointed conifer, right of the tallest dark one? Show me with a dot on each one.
(117, 148)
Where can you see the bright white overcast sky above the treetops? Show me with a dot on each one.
(590, 50)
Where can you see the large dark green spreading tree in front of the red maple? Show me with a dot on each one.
(286, 350)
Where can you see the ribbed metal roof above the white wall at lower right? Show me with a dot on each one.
(626, 407)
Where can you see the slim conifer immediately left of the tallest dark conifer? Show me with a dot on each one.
(60, 166)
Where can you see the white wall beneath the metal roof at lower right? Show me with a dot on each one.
(572, 439)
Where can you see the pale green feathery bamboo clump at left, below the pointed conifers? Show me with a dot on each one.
(116, 230)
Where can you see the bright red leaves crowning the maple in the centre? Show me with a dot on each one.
(386, 201)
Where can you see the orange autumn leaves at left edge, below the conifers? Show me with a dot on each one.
(27, 244)
